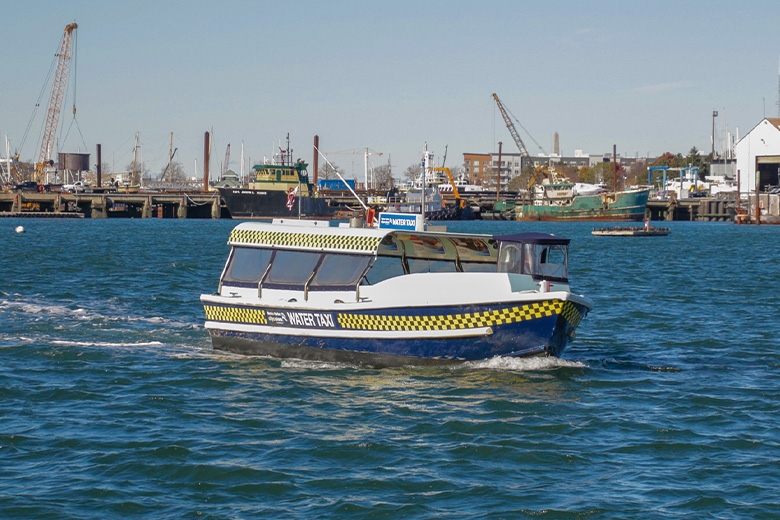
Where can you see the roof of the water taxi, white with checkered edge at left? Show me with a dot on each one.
(320, 235)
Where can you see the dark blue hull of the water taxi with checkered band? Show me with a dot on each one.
(382, 338)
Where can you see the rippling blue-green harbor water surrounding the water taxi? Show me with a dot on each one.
(114, 405)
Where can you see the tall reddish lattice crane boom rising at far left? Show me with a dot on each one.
(55, 103)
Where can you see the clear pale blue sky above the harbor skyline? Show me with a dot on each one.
(389, 76)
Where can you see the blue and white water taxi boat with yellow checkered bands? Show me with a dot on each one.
(391, 295)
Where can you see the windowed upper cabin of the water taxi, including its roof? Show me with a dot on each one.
(313, 256)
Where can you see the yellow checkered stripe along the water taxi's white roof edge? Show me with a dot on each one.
(304, 240)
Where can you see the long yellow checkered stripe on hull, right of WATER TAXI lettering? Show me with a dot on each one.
(452, 321)
